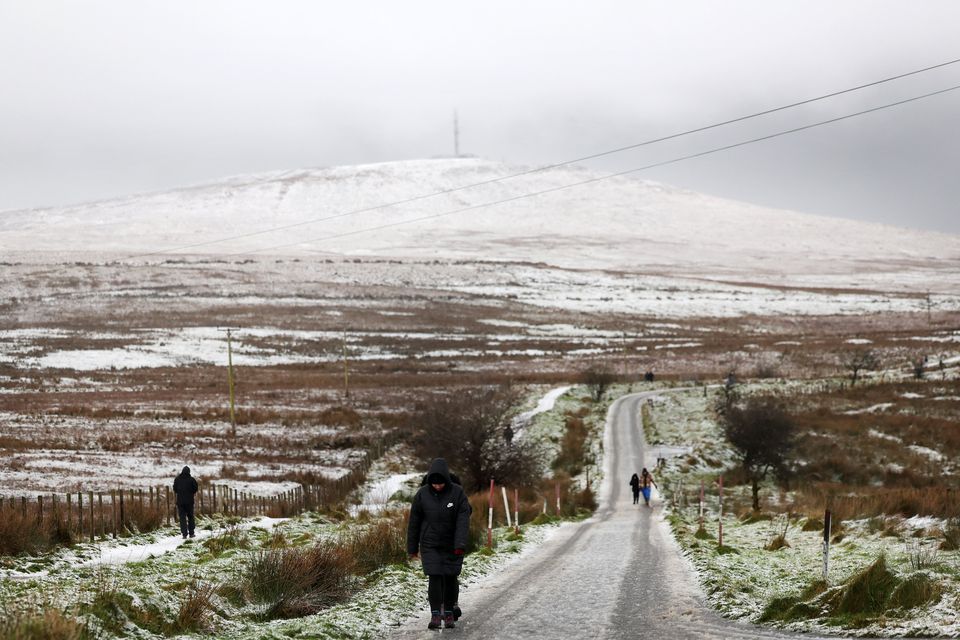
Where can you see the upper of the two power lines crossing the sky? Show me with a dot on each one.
(556, 165)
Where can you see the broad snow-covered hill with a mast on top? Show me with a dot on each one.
(618, 223)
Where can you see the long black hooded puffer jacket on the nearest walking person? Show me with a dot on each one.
(439, 523)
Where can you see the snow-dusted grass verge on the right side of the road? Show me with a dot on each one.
(743, 577)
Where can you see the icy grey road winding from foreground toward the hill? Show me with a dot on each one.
(618, 575)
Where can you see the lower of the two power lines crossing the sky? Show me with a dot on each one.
(605, 177)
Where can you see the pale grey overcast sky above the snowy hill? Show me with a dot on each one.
(112, 97)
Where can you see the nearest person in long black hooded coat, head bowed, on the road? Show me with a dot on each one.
(437, 533)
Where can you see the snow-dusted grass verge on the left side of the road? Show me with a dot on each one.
(153, 572)
